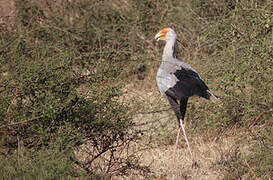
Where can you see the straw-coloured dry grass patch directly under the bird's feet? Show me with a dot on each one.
(207, 154)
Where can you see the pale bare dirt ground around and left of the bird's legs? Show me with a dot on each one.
(158, 121)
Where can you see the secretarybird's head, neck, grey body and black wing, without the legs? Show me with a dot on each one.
(176, 78)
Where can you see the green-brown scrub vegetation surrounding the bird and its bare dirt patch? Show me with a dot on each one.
(64, 64)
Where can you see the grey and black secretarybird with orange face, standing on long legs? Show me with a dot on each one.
(178, 81)
